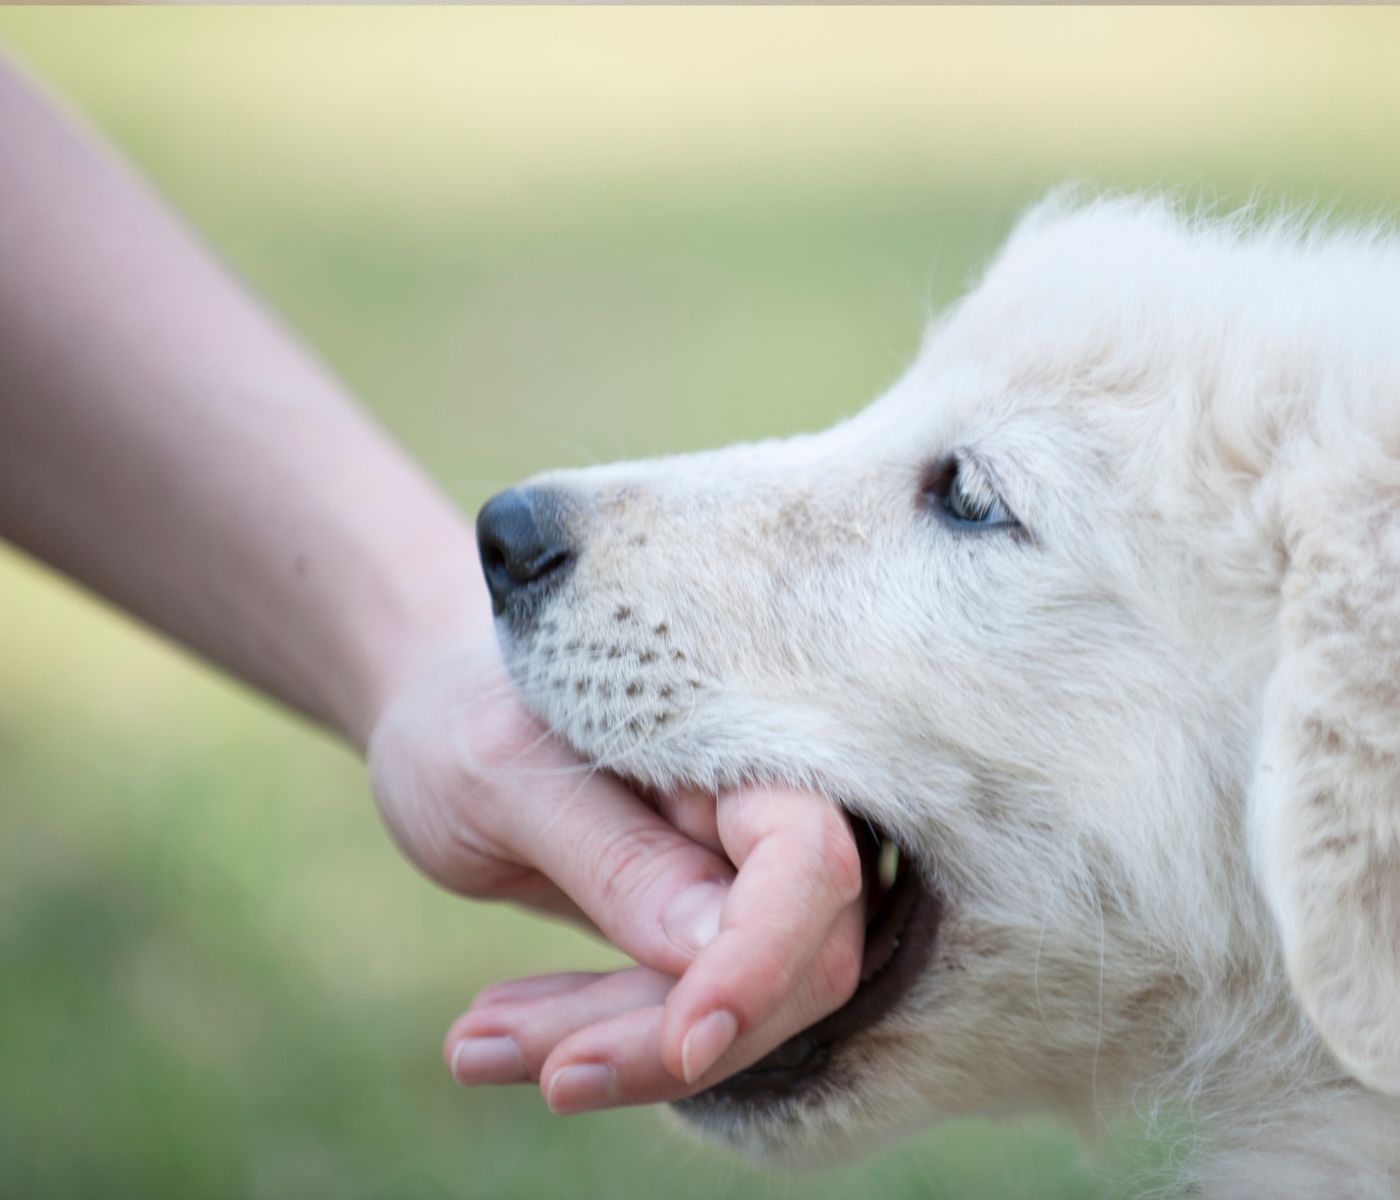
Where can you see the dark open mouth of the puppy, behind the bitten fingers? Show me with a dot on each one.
(901, 929)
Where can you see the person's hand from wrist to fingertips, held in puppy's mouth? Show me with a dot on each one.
(489, 804)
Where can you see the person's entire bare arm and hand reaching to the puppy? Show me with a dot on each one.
(169, 446)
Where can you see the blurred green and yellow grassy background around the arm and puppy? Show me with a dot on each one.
(526, 239)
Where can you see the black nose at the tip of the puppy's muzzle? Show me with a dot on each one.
(524, 548)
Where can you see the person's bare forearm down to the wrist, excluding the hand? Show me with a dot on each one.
(163, 442)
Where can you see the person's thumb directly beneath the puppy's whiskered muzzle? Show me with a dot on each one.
(650, 890)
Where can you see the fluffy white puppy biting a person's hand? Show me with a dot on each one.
(1097, 617)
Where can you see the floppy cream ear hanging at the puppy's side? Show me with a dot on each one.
(1325, 804)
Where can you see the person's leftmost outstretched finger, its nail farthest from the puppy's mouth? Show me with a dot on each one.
(509, 1042)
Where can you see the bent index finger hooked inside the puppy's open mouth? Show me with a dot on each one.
(793, 921)
